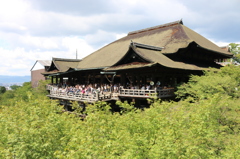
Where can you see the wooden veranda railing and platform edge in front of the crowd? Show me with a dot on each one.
(55, 93)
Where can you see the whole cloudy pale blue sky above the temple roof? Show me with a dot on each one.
(33, 30)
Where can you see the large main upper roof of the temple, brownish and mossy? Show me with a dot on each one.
(171, 36)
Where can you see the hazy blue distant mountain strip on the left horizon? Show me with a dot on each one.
(14, 79)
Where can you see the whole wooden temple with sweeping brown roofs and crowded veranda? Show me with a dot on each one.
(146, 63)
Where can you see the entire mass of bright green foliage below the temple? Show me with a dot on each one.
(205, 124)
